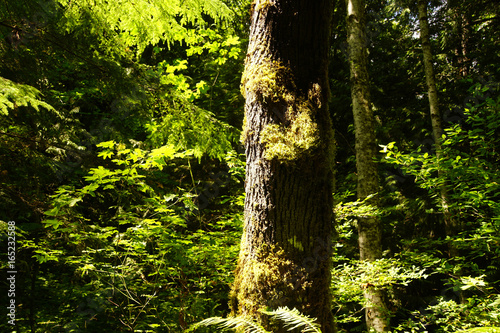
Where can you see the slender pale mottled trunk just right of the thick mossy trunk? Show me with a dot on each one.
(369, 228)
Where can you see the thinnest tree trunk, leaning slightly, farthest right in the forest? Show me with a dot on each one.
(437, 127)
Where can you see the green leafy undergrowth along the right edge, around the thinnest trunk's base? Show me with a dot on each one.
(470, 171)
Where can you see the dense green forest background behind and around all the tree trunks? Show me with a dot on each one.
(122, 168)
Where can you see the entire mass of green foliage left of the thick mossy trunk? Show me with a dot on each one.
(111, 131)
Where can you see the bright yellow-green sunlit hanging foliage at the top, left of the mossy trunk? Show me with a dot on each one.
(154, 22)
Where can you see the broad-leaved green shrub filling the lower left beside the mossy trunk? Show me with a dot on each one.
(140, 259)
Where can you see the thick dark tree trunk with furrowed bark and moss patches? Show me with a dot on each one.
(286, 244)
